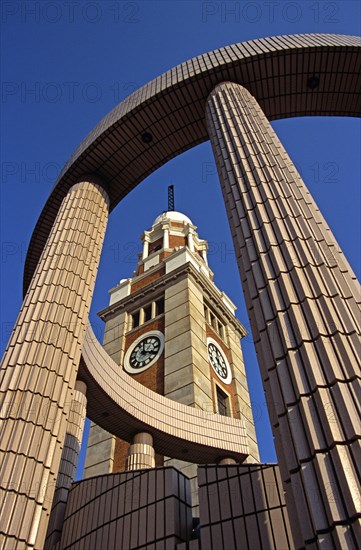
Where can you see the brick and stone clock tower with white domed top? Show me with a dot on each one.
(174, 331)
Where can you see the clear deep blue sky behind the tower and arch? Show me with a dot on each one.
(66, 65)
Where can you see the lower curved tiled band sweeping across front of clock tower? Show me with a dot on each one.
(123, 406)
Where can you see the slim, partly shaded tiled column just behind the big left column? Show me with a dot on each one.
(68, 464)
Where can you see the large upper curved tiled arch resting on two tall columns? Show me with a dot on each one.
(297, 75)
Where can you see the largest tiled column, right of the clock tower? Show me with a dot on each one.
(301, 297)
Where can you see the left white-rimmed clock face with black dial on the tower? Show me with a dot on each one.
(144, 352)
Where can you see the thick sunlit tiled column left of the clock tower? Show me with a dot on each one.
(41, 362)
